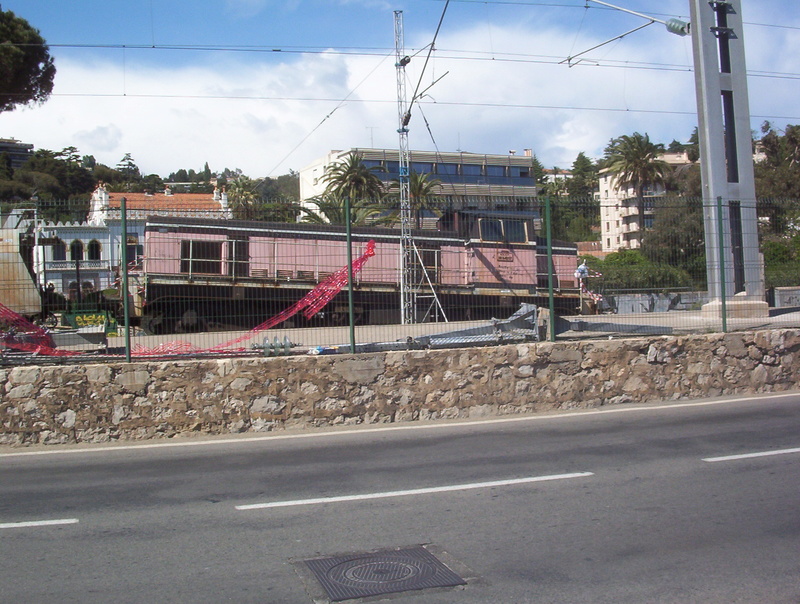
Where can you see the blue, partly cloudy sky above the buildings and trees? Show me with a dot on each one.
(268, 86)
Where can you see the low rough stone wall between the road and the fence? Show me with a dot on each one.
(98, 403)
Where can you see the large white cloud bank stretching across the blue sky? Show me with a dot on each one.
(269, 116)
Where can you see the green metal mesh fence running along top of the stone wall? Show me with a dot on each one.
(108, 281)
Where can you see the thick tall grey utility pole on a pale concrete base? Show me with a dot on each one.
(726, 159)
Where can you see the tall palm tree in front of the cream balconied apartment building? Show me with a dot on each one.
(635, 160)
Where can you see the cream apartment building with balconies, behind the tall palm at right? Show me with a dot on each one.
(619, 211)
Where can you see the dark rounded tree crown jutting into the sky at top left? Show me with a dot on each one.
(27, 70)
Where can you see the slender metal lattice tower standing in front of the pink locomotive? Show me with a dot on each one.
(403, 116)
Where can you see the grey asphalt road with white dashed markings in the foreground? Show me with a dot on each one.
(626, 504)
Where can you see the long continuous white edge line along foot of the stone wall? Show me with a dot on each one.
(439, 425)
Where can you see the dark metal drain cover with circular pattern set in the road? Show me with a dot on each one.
(378, 573)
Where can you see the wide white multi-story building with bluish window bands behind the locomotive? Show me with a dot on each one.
(468, 180)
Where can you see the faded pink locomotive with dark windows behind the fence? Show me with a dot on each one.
(201, 274)
